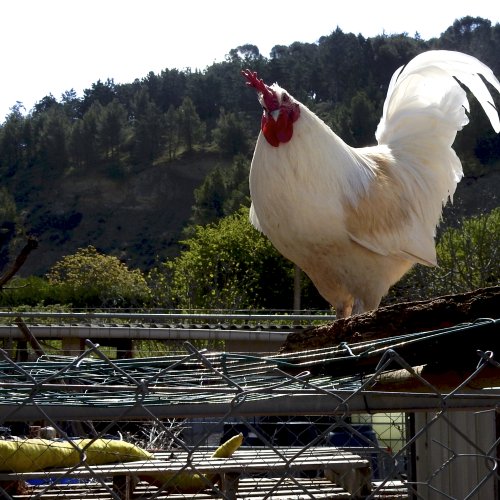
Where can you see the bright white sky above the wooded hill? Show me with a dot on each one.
(52, 46)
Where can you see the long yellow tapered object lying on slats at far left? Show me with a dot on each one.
(30, 455)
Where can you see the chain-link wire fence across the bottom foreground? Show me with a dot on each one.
(93, 427)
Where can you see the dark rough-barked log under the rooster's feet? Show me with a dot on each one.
(447, 337)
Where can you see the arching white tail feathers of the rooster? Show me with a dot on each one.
(424, 109)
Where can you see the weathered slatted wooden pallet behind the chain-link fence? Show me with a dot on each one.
(349, 474)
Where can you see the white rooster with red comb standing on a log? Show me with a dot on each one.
(357, 219)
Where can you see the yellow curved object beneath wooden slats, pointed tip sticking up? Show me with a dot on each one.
(189, 482)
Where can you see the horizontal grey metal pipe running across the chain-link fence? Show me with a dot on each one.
(279, 405)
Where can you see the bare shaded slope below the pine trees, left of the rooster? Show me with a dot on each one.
(135, 219)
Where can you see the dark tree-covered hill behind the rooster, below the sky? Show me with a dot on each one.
(129, 167)
